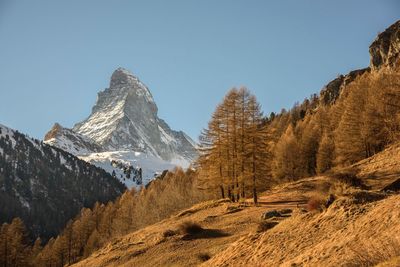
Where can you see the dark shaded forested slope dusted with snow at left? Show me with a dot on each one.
(46, 186)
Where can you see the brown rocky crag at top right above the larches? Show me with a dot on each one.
(385, 50)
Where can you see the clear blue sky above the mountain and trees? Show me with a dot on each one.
(56, 55)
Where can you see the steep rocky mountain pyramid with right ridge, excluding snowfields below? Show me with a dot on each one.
(125, 118)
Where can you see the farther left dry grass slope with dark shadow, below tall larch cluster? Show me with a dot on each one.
(168, 243)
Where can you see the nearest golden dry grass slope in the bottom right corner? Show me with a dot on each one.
(347, 234)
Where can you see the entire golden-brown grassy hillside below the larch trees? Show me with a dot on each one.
(358, 228)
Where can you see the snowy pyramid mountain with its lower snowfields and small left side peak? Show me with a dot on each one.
(124, 123)
